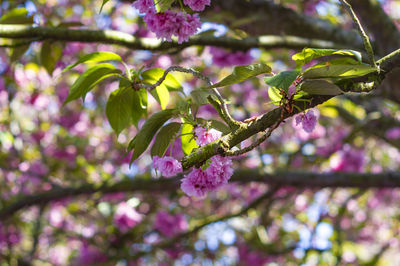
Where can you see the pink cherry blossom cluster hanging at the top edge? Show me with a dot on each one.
(169, 23)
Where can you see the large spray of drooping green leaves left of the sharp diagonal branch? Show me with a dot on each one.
(128, 104)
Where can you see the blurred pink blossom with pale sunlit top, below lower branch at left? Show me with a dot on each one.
(126, 217)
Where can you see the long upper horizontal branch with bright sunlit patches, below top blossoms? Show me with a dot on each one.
(153, 44)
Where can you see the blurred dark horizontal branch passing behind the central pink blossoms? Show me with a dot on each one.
(142, 183)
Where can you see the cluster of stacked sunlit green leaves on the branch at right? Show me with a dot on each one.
(331, 66)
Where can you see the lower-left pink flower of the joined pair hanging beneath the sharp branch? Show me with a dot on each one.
(196, 183)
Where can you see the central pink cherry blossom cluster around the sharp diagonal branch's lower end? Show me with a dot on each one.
(199, 181)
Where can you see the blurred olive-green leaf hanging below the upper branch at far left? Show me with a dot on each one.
(50, 53)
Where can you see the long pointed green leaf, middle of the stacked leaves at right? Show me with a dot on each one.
(338, 71)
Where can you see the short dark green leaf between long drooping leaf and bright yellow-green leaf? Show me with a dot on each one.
(164, 138)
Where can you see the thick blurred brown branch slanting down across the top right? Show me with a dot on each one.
(271, 18)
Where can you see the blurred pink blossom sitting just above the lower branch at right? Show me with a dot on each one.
(348, 160)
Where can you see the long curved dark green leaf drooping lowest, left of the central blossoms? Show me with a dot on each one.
(149, 129)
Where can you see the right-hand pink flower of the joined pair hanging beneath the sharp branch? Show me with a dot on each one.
(219, 171)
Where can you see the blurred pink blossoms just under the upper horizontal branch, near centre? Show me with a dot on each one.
(223, 58)
